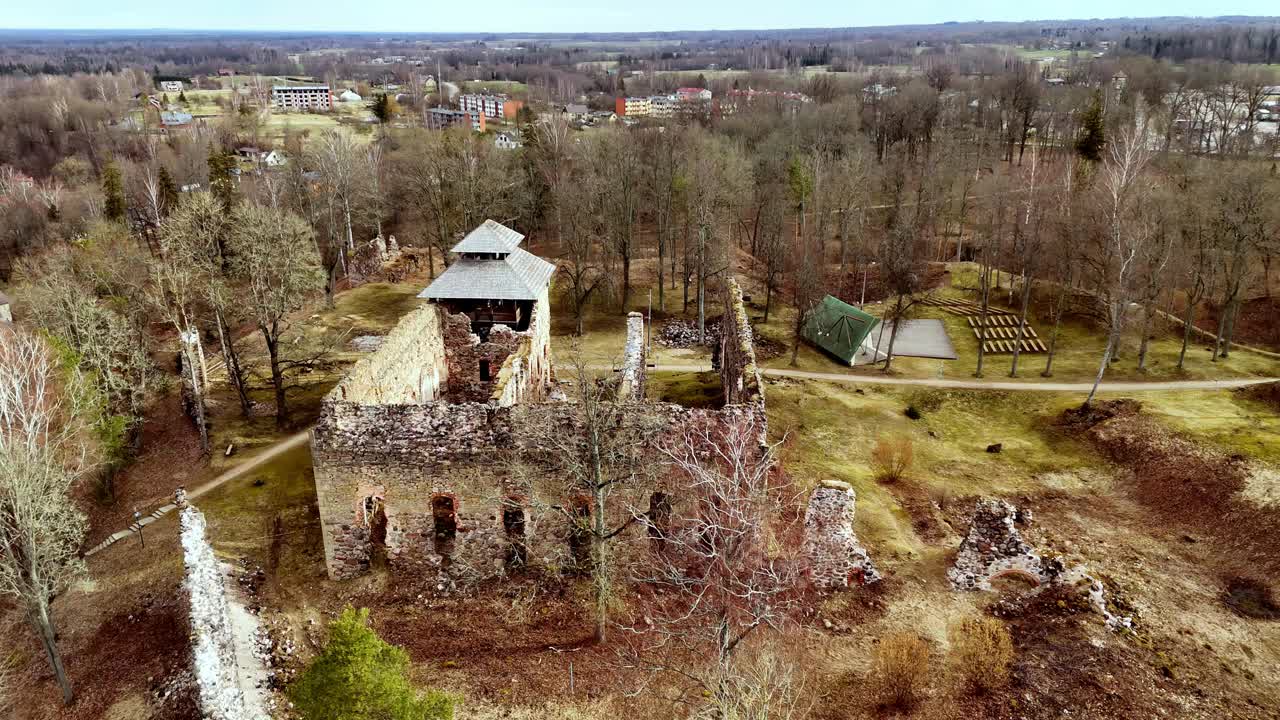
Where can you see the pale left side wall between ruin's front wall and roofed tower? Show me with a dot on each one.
(408, 368)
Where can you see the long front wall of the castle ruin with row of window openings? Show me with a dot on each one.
(486, 459)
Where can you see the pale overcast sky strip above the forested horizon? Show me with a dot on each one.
(573, 16)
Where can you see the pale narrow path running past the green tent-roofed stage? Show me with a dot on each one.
(1035, 386)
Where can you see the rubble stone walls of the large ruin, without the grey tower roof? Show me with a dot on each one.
(461, 487)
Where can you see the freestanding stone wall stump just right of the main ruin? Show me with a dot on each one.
(836, 560)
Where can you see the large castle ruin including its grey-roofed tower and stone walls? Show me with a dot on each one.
(428, 455)
